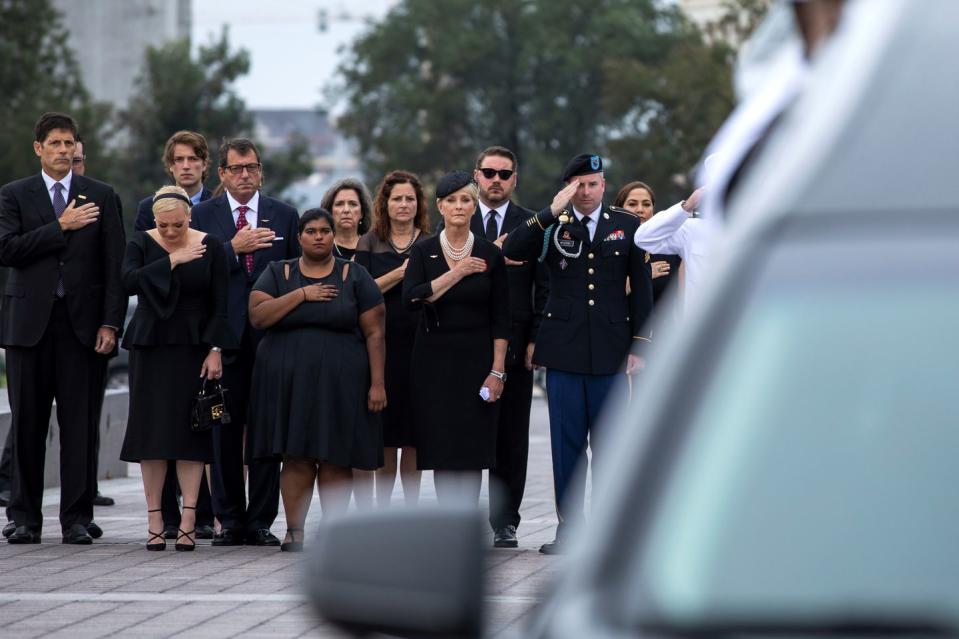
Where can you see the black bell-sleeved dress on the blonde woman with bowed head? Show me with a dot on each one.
(180, 314)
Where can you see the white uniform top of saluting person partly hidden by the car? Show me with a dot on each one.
(673, 232)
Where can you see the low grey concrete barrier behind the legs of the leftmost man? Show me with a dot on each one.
(113, 424)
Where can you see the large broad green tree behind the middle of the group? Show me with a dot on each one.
(431, 84)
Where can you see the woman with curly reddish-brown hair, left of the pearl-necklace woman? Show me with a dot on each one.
(400, 221)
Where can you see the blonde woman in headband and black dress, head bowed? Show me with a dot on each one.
(179, 276)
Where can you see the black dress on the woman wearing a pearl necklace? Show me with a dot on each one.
(454, 428)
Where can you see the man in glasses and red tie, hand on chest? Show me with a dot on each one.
(256, 230)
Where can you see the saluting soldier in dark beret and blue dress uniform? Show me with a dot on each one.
(590, 324)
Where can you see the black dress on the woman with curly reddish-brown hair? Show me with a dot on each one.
(379, 258)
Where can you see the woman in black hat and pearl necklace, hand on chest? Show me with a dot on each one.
(459, 356)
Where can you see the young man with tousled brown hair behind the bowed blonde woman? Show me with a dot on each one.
(186, 158)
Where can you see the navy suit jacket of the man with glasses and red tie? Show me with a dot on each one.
(215, 217)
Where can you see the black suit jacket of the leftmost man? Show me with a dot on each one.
(39, 254)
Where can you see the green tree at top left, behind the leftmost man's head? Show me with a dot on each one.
(38, 73)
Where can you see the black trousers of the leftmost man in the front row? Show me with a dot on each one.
(58, 367)
